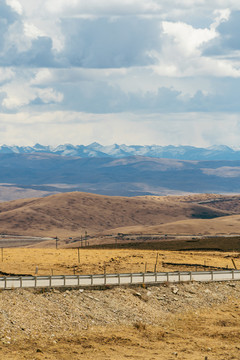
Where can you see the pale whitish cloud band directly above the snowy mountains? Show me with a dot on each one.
(83, 128)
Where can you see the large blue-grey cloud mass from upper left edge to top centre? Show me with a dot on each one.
(98, 43)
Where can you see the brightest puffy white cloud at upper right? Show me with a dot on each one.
(181, 53)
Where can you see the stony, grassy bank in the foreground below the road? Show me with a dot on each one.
(35, 322)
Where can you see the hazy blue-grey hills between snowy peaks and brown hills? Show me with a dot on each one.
(126, 176)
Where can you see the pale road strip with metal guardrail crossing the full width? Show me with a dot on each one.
(13, 282)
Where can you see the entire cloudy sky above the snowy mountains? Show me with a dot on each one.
(121, 71)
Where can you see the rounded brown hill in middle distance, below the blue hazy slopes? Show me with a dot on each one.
(71, 214)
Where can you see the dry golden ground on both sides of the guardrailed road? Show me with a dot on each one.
(151, 323)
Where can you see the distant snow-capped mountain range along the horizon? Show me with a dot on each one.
(220, 152)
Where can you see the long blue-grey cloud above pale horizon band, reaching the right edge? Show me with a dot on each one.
(101, 97)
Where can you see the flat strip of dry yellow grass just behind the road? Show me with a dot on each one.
(93, 261)
